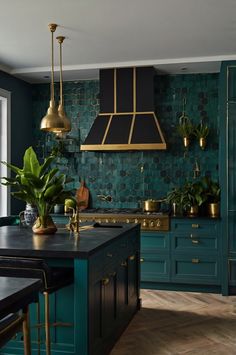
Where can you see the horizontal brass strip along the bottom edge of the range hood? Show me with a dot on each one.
(153, 146)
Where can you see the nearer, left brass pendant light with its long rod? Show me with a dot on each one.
(52, 122)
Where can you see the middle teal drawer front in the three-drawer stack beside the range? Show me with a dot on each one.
(194, 242)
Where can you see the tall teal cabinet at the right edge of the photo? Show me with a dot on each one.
(228, 172)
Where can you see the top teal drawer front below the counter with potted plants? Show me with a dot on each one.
(194, 226)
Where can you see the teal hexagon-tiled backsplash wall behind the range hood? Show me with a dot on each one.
(120, 173)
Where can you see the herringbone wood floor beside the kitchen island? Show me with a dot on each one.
(172, 323)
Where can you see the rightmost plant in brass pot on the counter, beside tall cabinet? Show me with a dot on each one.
(212, 192)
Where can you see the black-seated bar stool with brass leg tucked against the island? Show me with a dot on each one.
(53, 279)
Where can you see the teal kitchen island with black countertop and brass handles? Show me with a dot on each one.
(105, 295)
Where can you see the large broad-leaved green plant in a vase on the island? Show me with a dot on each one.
(41, 186)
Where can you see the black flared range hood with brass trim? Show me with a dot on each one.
(127, 120)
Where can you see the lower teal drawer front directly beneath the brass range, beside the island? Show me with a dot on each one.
(154, 267)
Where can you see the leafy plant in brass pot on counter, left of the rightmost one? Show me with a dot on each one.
(193, 197)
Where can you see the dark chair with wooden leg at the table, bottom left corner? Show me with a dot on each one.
(13, 323)
